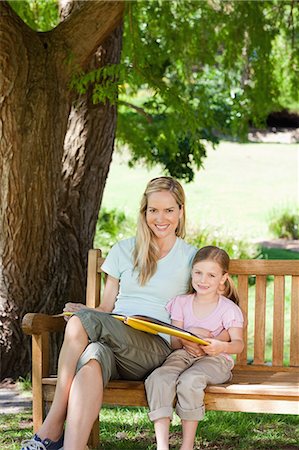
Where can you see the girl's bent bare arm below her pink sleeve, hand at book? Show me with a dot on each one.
(235, 345)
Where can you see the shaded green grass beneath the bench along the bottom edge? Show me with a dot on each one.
(130, 429)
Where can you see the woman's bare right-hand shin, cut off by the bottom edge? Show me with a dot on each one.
(85, 401)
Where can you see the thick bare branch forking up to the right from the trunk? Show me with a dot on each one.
(87, 26)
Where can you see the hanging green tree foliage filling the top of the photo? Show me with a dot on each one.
(192, 71)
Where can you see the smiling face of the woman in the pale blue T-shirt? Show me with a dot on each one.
(163, 214)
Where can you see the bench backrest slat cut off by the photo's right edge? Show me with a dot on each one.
(294, 337)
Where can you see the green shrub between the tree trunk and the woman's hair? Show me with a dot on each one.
(112, 226)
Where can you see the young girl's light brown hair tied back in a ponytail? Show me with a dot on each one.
(218, 255)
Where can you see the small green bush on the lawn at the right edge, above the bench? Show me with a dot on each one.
(285, 224)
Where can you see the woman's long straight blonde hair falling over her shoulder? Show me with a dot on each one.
(146, 252)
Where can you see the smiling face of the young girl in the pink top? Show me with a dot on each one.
(207, 278)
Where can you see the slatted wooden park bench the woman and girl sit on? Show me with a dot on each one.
(258, 385)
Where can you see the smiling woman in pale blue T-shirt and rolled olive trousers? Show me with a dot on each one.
(143, 274)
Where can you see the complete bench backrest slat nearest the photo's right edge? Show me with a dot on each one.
(278, 321)
